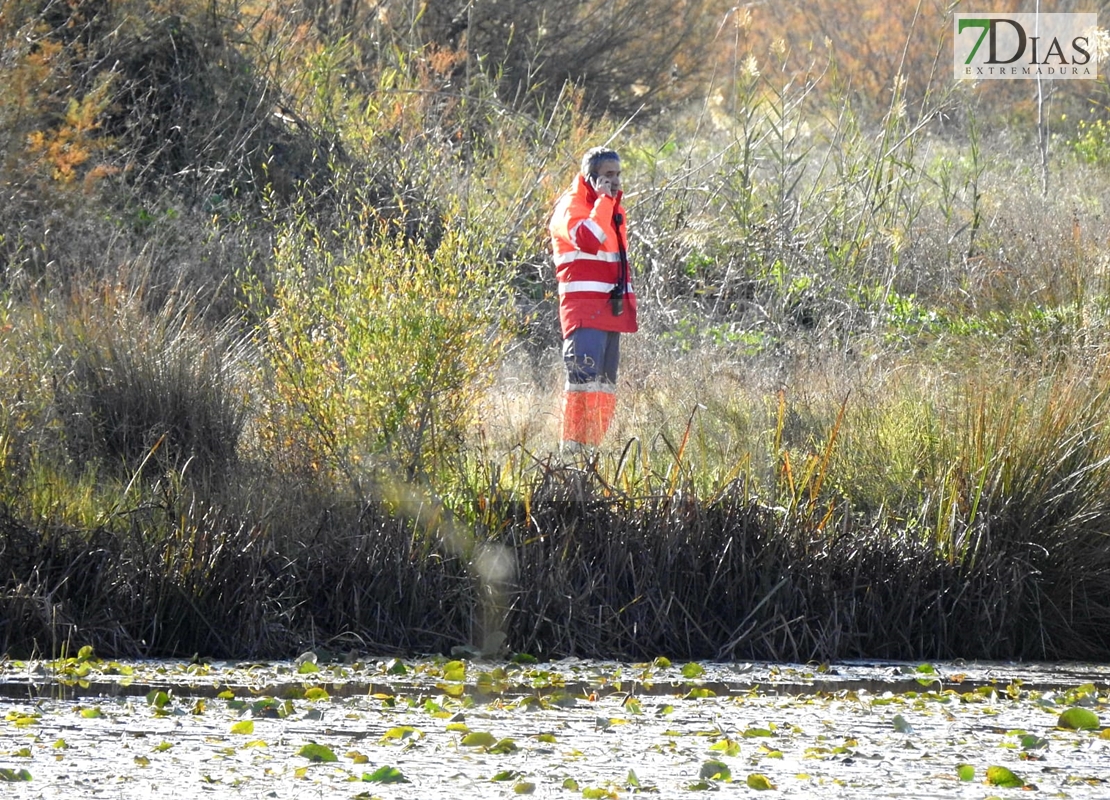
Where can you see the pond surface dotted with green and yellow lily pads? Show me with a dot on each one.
(428, 728)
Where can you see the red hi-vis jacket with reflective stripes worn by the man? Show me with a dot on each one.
(587, 246)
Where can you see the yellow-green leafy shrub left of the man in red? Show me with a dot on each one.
(378, 350)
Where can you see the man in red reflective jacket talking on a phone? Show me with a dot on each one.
(597, 302)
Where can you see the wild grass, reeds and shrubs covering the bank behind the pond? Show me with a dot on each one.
(280, 358)
